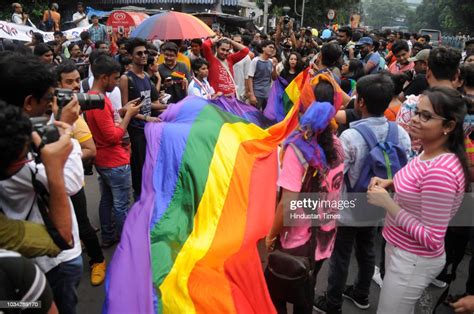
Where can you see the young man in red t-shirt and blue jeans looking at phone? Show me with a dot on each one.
(112, 159)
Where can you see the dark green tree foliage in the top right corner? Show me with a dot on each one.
(450, 16)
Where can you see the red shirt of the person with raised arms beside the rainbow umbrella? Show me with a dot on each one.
(218, 74)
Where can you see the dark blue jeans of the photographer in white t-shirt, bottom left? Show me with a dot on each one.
(64, 280)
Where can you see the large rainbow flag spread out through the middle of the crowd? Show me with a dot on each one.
(189, 245)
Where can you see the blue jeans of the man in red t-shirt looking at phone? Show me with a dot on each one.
(115, 186)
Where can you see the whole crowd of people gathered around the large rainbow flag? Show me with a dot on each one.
(399, 89)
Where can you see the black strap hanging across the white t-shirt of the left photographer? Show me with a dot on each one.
(42, 200)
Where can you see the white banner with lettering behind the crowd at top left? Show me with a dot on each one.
(23, 33)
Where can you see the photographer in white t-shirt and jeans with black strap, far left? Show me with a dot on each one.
(28, 85)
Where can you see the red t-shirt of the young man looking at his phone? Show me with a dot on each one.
(107, 137)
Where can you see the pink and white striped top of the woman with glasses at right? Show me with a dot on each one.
(429, 193)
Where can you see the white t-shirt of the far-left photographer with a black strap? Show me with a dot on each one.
(17, 197)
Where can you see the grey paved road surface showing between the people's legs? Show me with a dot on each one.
(91, 298)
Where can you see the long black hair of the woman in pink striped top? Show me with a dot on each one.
(452, 105)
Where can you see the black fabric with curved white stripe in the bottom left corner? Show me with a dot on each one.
(21, 280)
